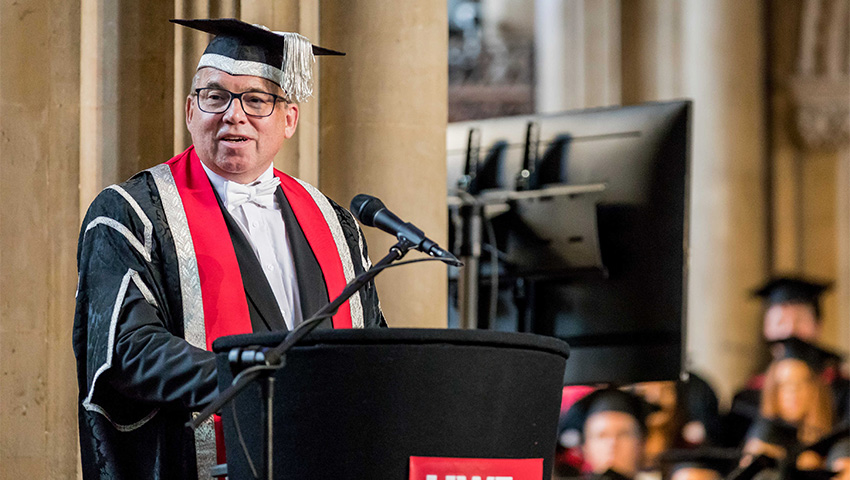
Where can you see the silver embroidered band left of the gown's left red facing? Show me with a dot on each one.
(190, 290)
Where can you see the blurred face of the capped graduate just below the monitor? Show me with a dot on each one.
(613, 440)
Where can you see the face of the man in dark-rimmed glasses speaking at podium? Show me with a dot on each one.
(232, 144)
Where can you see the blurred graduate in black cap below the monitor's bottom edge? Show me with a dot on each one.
(612, 425)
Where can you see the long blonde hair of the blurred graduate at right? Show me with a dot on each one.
(817, 421)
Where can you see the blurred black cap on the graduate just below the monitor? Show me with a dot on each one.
(605, 400)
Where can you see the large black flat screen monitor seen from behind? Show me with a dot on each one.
(625, 322)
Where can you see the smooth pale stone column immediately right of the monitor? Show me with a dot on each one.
(723, 71)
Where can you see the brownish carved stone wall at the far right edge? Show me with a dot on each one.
(809, 157)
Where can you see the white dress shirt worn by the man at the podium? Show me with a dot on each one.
(265, 231)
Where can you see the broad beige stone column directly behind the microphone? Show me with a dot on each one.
(382, 132)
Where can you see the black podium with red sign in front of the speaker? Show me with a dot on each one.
(357, 404)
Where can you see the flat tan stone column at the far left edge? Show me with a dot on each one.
(39, 223)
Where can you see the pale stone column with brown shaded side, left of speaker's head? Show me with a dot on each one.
(127, 97)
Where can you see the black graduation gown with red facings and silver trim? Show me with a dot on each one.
(164, 271)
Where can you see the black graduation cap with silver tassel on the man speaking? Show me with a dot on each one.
(241, 48)
